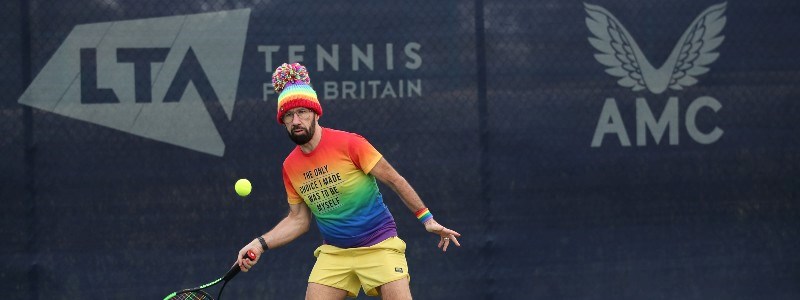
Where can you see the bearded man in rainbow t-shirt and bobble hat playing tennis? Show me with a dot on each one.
(331, 174)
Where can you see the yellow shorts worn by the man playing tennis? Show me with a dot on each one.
(364, 267)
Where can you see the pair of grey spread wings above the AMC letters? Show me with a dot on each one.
(690, 58)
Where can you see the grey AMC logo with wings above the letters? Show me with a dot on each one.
(624, 59)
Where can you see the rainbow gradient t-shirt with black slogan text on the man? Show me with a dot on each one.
(334, 181)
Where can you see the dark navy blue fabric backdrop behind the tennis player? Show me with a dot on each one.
(490, 113)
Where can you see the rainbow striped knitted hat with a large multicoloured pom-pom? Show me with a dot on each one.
(293, 84)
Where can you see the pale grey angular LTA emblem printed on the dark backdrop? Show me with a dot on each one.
(172, 79)
